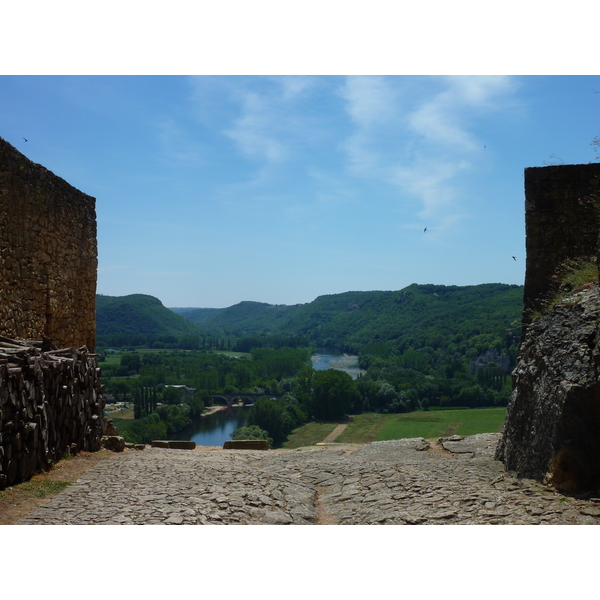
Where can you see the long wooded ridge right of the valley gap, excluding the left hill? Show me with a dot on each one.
(417, 316)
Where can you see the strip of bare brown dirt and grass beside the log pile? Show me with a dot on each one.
(18, 500)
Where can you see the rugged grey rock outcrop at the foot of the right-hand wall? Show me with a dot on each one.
(552, 425)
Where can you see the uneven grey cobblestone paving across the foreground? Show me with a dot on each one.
(396, 482)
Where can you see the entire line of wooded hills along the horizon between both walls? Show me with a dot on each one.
(470, 319)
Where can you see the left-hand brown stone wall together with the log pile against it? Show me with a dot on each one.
(50, 393)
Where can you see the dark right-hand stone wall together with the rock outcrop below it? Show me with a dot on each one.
(553, 417)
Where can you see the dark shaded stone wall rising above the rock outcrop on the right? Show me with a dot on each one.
(561, 223)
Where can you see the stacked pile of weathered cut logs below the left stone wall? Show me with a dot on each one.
(50, 404)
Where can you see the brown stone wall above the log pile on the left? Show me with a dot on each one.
(48, 255)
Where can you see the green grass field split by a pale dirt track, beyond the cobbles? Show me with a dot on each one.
(374, 427)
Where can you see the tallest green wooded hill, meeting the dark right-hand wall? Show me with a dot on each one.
(417, 316)
